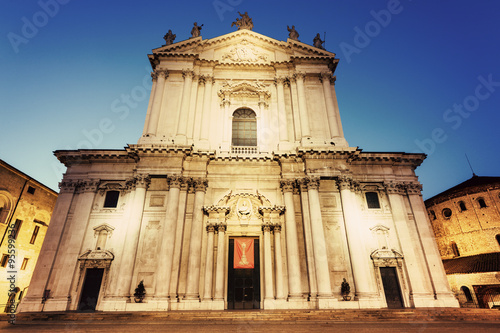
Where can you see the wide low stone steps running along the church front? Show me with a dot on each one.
(274, 316)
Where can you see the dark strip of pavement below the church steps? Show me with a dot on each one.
(198, 327)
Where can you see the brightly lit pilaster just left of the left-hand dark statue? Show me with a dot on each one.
(141, 183)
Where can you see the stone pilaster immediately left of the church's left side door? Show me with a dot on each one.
(71, 245)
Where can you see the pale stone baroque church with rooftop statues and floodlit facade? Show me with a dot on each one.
(242, 193)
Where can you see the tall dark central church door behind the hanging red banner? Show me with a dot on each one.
(243, 285)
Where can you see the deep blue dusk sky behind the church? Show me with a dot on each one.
(406, 68)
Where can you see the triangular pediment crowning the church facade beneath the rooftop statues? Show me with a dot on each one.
(243, 47)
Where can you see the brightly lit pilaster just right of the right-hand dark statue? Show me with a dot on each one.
(360, 263)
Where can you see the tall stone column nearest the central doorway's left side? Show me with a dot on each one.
(193, 272)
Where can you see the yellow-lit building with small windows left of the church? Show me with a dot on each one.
(26, 207)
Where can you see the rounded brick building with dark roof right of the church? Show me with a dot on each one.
(466, 223)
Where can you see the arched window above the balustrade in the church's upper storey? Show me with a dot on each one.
(244, 128)
